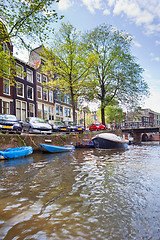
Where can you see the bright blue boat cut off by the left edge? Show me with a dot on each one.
(15, 152)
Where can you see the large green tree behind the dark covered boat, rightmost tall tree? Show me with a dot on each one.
(117, 76)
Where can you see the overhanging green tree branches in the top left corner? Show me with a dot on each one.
(23, 22)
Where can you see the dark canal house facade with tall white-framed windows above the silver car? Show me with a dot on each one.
(24, 91)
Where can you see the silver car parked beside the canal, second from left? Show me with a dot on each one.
(36, 125)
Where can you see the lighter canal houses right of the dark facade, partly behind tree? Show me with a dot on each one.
(51, 104)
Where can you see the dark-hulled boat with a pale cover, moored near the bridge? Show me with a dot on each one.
(109, 141)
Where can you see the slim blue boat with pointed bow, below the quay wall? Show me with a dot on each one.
(54, 148)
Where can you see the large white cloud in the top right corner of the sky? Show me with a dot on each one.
(143, 12)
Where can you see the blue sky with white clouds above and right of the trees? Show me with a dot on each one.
(139, 18)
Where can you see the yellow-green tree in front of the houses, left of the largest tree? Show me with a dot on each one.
(67, 63)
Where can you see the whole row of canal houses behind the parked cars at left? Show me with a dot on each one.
(26, 96)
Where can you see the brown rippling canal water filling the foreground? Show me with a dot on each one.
(86, 194)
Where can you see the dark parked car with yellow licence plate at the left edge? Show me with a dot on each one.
(9, 123)
